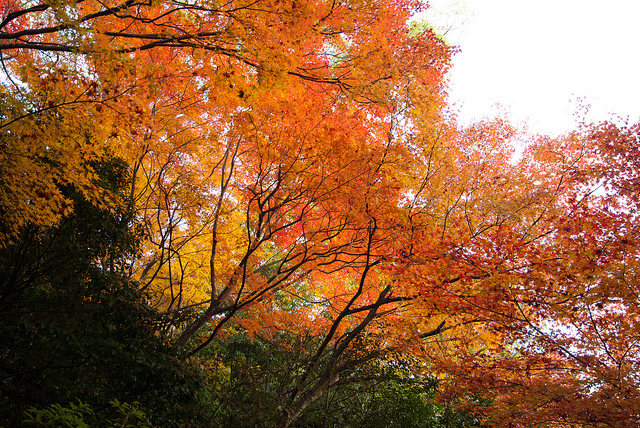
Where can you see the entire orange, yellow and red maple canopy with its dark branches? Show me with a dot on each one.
(299, 180)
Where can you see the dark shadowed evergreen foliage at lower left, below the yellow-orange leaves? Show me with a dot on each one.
(73, 326)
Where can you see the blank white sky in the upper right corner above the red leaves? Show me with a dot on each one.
(535, 58)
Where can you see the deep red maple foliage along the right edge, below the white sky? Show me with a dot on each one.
(553, 285)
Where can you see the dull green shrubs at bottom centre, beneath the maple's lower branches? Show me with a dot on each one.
(253, 377)
